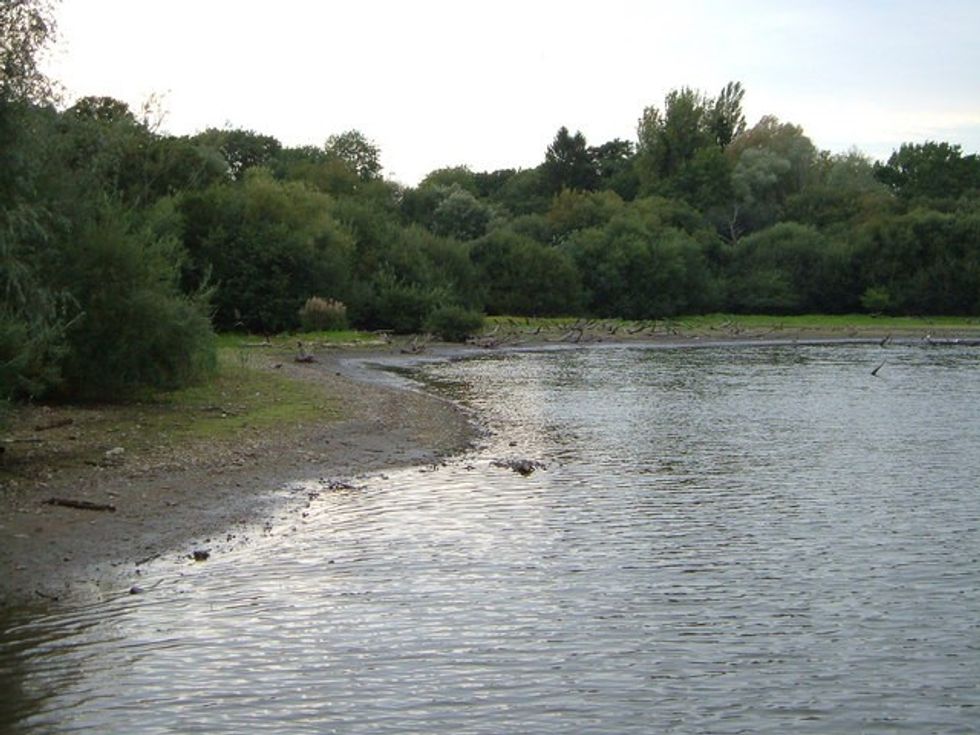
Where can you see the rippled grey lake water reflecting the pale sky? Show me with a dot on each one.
(725, 540)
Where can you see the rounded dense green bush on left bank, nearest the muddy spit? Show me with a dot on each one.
(133, 329)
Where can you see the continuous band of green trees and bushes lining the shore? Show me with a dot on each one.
(122, 248)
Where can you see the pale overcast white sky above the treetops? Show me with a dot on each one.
(487, 84)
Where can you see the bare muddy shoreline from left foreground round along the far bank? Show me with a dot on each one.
(210, 499)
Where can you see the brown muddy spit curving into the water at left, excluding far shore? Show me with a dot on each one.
(208, 496)
